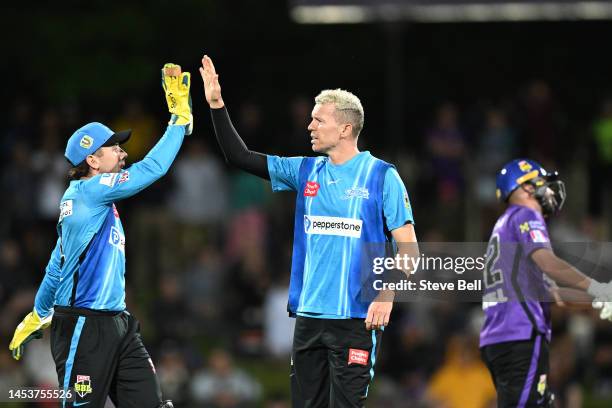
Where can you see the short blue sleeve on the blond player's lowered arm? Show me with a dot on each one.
(396, 203)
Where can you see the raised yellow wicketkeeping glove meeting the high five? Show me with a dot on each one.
(176, 87)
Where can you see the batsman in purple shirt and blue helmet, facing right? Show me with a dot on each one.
(521, 271)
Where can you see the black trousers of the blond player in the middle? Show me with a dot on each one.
(332, 362)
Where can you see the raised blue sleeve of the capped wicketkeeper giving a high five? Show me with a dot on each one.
(110, 187)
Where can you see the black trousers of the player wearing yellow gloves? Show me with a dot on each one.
(101, 354)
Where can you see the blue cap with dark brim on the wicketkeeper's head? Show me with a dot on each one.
(91, 137)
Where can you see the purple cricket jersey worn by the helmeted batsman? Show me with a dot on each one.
(516, 297)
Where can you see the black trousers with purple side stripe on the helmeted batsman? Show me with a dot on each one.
(520, 372)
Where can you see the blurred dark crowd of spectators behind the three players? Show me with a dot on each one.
(209, 247)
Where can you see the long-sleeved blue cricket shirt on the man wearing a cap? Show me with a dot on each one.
(87, 266)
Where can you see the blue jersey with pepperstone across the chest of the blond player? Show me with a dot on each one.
(338, 209)
